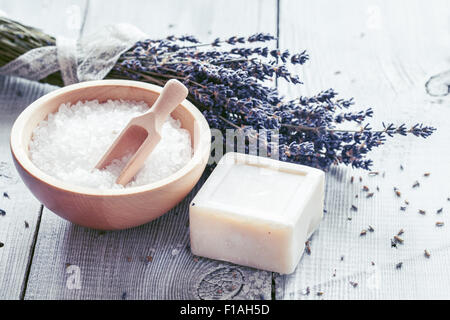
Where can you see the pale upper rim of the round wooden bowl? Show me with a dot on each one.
(22, 158)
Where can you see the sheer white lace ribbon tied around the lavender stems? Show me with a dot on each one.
(90, 58)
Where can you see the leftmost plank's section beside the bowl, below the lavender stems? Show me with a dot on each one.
(18, 226)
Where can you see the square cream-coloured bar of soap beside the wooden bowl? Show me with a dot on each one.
(257, 212)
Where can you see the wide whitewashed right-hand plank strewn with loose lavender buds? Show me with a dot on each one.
(382, 53)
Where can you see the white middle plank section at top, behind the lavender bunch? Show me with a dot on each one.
(206, 20)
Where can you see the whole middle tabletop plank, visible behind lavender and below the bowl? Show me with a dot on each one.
(154, 260)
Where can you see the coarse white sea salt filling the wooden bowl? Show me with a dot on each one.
(70, 142)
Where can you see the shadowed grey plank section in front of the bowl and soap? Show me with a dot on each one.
(148, 262)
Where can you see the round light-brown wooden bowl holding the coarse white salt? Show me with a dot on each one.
(109, 209)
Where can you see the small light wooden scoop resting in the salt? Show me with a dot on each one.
(142, 133)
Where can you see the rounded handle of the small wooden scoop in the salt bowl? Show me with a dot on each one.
(173, 93)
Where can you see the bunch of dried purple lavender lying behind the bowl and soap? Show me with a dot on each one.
(228, 81)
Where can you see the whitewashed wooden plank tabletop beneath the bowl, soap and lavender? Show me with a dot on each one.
(380, 52)
